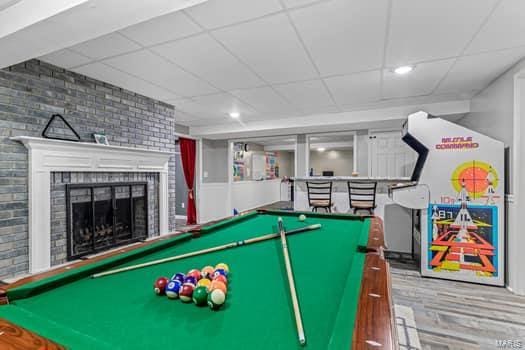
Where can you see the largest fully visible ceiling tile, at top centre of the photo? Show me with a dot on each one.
(271, 47)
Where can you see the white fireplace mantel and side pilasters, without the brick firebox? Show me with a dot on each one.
(47, 156)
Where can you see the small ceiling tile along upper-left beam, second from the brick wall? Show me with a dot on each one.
(106, 46)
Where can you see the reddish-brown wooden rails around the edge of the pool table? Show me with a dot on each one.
(374, 326)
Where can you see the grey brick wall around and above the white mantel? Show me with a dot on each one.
(30, 93)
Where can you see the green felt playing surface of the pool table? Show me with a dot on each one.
(122, 312)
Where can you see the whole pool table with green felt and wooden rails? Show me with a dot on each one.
(341, 277)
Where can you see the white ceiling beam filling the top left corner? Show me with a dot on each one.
(34, 28)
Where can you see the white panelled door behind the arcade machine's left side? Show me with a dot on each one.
(390, 156)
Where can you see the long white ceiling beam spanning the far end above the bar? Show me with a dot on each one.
(354, 120)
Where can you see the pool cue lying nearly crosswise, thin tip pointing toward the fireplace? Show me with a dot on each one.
(205, 251)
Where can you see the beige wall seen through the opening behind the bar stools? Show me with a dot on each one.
(340, 162)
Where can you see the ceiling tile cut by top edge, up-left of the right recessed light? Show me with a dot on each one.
(344, 36)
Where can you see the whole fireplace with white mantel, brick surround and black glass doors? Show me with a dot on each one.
(104, 177)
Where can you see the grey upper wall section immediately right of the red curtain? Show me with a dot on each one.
(215, 160)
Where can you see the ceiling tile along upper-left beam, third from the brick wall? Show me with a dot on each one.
(162, 29)
